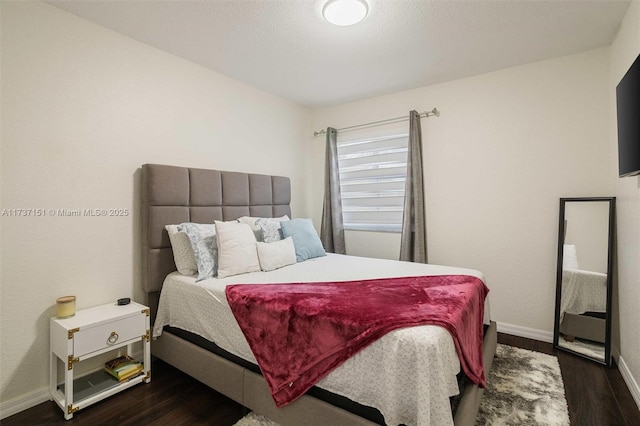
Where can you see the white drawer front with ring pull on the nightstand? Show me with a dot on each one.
(91, 339)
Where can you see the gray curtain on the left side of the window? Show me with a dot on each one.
(332, 229)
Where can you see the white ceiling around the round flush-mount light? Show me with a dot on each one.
(285, 47)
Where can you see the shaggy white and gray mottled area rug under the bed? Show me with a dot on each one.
(524, 388)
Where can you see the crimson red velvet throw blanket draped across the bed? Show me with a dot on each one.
(300, 332)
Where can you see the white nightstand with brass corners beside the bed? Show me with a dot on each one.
(88, 333)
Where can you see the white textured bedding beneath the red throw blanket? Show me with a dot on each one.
(408, 375)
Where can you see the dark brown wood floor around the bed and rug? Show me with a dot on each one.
(595, 395)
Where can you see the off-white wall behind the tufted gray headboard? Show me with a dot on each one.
(82, 109)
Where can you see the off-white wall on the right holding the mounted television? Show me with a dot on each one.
(624, 50)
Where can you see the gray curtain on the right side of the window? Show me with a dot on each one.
(413, 244)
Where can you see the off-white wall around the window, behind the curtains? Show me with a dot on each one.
(506, 147)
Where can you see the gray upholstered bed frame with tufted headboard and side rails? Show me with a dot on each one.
(172, 195)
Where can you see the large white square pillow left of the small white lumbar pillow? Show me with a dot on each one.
(237, 253)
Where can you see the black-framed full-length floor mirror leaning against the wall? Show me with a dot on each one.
(584, 283)
